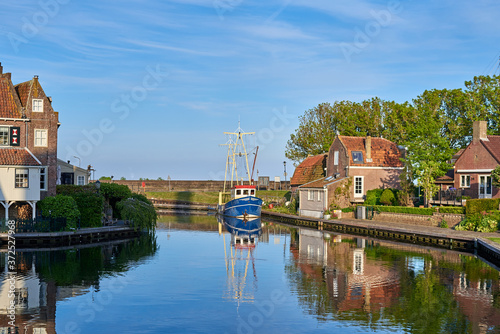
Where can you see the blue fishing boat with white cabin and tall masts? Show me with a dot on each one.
(241, 202)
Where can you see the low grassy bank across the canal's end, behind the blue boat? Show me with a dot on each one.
(211, 197)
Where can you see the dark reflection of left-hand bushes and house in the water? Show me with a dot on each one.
(44, 278)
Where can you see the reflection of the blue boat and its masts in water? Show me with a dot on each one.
(239, 256)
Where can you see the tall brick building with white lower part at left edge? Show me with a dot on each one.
(28, 144)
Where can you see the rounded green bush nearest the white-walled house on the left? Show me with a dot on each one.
(60, 206)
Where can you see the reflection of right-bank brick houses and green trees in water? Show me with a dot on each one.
(388, 285)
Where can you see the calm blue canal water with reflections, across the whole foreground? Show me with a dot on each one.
(191, 279)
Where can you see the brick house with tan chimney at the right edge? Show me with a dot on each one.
(473, 167)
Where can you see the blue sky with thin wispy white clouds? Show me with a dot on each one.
(146, 89)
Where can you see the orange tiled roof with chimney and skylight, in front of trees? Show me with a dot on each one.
(384, 153)
